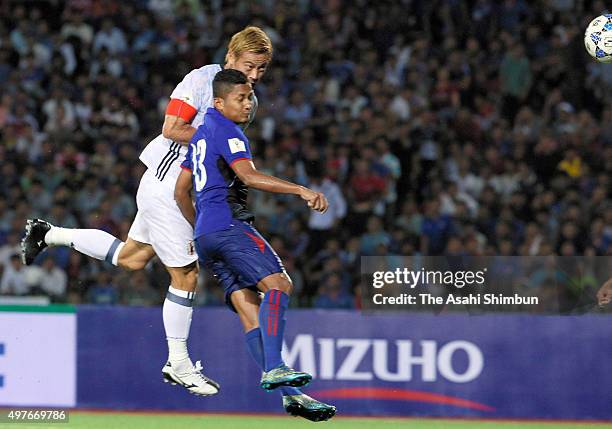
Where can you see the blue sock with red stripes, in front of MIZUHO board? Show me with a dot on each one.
(271, 317)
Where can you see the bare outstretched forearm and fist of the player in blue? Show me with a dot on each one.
(250, 176)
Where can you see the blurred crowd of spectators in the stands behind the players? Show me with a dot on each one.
(435, 127)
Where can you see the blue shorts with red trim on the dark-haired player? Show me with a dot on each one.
(239, 257)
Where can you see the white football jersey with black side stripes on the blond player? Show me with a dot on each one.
(163, 156)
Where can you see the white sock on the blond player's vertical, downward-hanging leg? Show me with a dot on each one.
(177, 312)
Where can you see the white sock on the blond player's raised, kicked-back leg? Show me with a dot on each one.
(92, 242)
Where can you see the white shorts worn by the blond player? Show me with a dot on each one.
(160, 223)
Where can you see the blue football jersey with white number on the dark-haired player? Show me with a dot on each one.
(219, 195)
